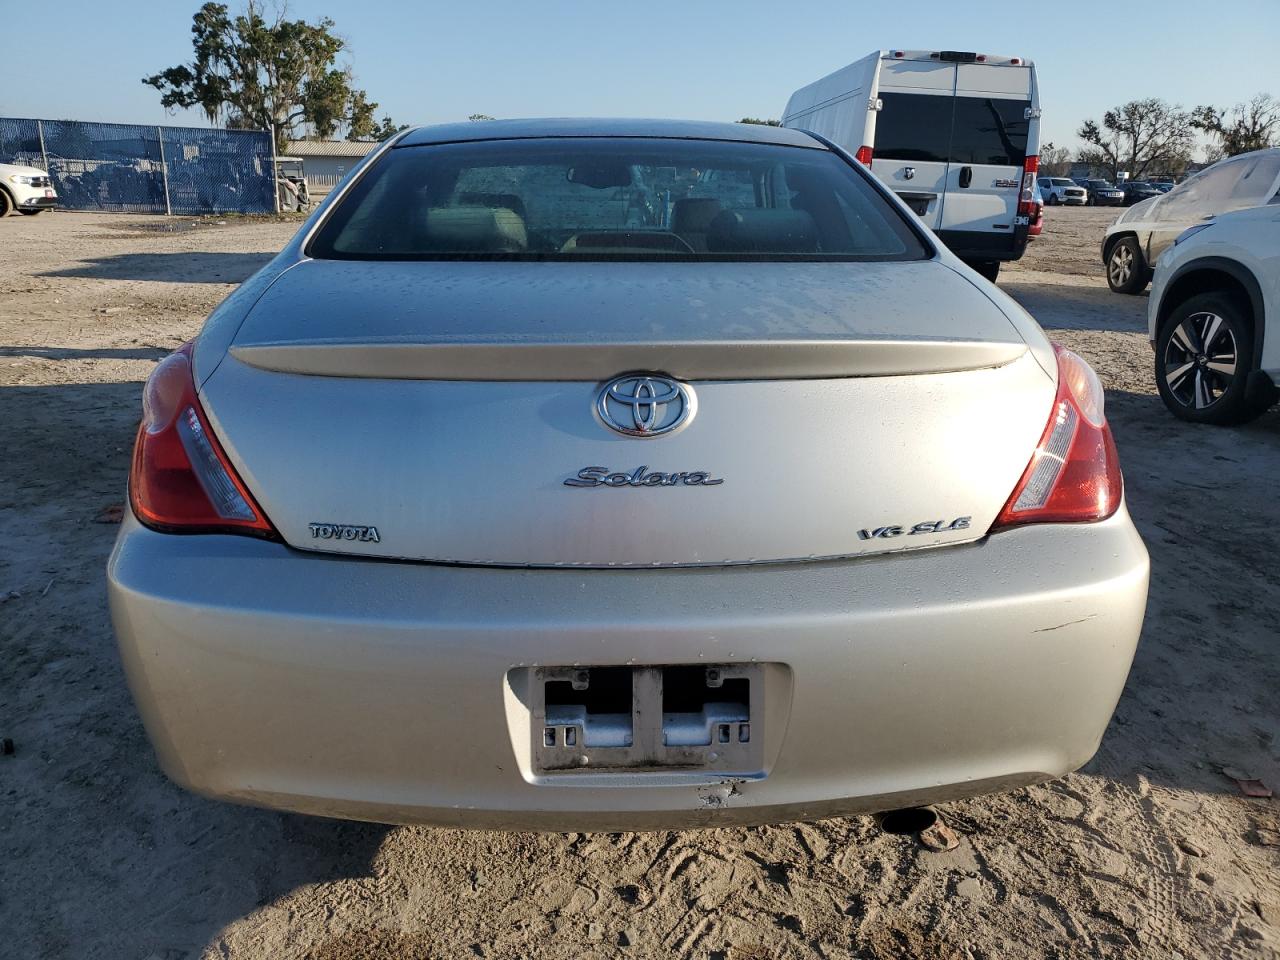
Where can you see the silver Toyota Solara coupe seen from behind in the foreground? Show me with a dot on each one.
(621, 474)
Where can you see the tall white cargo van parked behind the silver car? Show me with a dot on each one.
(956, 135)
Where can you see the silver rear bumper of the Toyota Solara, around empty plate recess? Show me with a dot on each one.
(378, 691)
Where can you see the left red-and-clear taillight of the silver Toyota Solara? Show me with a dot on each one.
(181, 481)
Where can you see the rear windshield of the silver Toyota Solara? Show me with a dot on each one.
(616, 199)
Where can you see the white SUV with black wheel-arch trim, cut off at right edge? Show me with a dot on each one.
(1214, 294)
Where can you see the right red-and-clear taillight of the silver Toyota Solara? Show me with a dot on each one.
(1075, 474)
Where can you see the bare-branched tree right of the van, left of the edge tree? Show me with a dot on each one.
(1140, 136)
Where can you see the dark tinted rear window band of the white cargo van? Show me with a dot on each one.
(976, 131)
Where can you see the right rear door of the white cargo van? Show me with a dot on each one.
(990, 136)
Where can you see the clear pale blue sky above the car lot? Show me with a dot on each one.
(433, 62)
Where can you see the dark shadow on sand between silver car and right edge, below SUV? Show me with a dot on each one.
(1197, 697)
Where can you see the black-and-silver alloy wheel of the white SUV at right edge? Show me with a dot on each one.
(1204, 360)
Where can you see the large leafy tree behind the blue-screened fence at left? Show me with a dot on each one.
(262, 71)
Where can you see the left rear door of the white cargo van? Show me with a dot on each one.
(913, 132)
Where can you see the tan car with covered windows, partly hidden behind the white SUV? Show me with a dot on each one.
(1135, 243)
